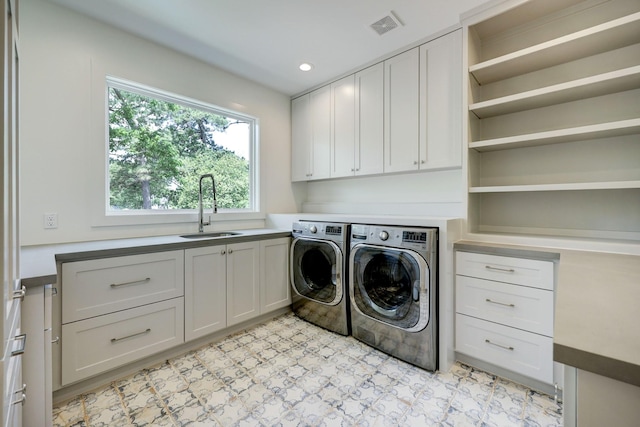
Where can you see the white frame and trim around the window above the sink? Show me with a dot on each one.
(108, 217)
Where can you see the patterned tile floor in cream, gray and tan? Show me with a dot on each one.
(287, 372)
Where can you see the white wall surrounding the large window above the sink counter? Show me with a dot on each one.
(63, 59)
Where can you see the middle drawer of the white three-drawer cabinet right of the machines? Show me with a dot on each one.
(522, 307)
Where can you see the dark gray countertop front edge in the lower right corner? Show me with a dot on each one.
(597, 364)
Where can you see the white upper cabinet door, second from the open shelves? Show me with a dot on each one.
(401, 75)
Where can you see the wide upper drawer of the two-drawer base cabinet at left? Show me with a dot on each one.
(101, 286)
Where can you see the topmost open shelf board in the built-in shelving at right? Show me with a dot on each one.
(600, 38)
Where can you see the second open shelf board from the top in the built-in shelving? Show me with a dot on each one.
(588, 87)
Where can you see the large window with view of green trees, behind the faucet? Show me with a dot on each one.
(160, 145)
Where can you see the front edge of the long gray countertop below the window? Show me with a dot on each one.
(169, 246)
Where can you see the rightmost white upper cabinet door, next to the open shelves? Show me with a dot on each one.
(441, 102)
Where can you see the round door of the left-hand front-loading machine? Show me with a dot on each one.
(316, 270)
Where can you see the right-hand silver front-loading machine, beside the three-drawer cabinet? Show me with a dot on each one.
(394, 291)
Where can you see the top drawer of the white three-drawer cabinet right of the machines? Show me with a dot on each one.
(527, 272)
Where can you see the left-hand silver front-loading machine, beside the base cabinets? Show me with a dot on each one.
(319, 255)
